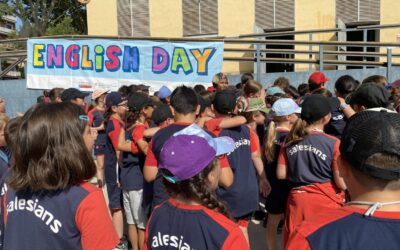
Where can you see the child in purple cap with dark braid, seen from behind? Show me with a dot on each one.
(193, 218)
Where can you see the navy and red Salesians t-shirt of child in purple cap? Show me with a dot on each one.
(174, 225)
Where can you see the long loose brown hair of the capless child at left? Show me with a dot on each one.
(51, 152)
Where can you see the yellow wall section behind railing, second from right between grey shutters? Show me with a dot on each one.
(309, 15)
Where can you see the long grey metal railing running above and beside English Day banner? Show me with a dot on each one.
(255, 44)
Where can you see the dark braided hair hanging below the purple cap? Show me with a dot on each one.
(197, 189)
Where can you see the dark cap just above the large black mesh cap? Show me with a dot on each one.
(371, 95)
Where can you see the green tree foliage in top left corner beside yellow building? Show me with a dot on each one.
(37, 16)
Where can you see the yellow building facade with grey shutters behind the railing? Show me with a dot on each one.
(208, 18)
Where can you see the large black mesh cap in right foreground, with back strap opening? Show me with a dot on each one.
(368, 133)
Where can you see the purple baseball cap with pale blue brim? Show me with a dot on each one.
(190, 150)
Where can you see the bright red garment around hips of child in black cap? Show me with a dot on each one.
(306, 201)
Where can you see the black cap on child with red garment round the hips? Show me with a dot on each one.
(315, 107)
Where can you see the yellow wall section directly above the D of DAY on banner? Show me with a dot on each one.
(166, 18)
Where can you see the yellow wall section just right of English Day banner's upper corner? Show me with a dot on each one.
(236, 17)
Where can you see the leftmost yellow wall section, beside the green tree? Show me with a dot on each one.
(102, 18)
